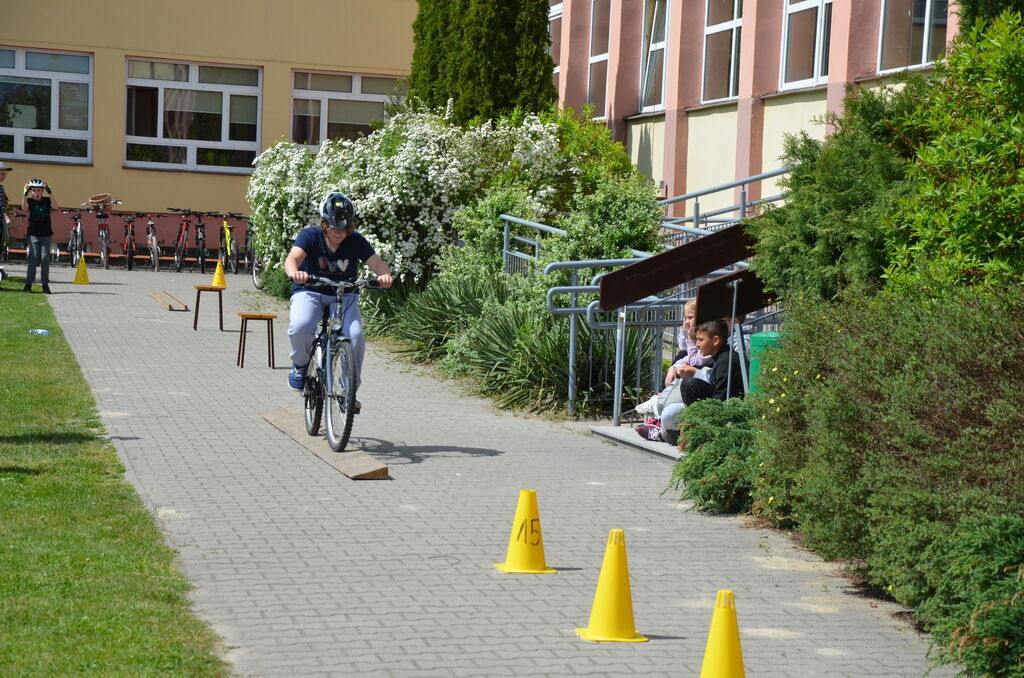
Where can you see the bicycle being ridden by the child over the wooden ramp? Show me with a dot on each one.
(331, 371)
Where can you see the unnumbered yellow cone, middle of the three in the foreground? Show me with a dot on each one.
(612, 614)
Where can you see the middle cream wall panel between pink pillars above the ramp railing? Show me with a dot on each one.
(711, 155)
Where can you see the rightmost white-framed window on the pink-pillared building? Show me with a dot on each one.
(914, 33)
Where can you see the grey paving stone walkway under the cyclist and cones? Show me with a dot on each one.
(307, 573)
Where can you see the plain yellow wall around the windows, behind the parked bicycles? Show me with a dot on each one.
(351, 36)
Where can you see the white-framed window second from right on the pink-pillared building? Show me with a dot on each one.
(806, 32)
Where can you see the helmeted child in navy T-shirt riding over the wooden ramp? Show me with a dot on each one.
(334, 250)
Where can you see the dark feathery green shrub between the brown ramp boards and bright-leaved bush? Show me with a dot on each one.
(829, 236)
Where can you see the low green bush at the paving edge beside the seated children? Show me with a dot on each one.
(719, 468)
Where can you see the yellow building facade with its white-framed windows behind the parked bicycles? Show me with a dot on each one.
(168, 104)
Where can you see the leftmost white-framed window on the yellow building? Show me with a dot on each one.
(46, 106)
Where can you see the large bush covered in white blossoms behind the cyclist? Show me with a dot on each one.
(407, 181)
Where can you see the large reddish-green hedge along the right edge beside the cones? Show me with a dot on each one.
(892, 429)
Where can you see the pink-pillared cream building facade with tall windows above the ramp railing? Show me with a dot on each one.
(703, 93)
